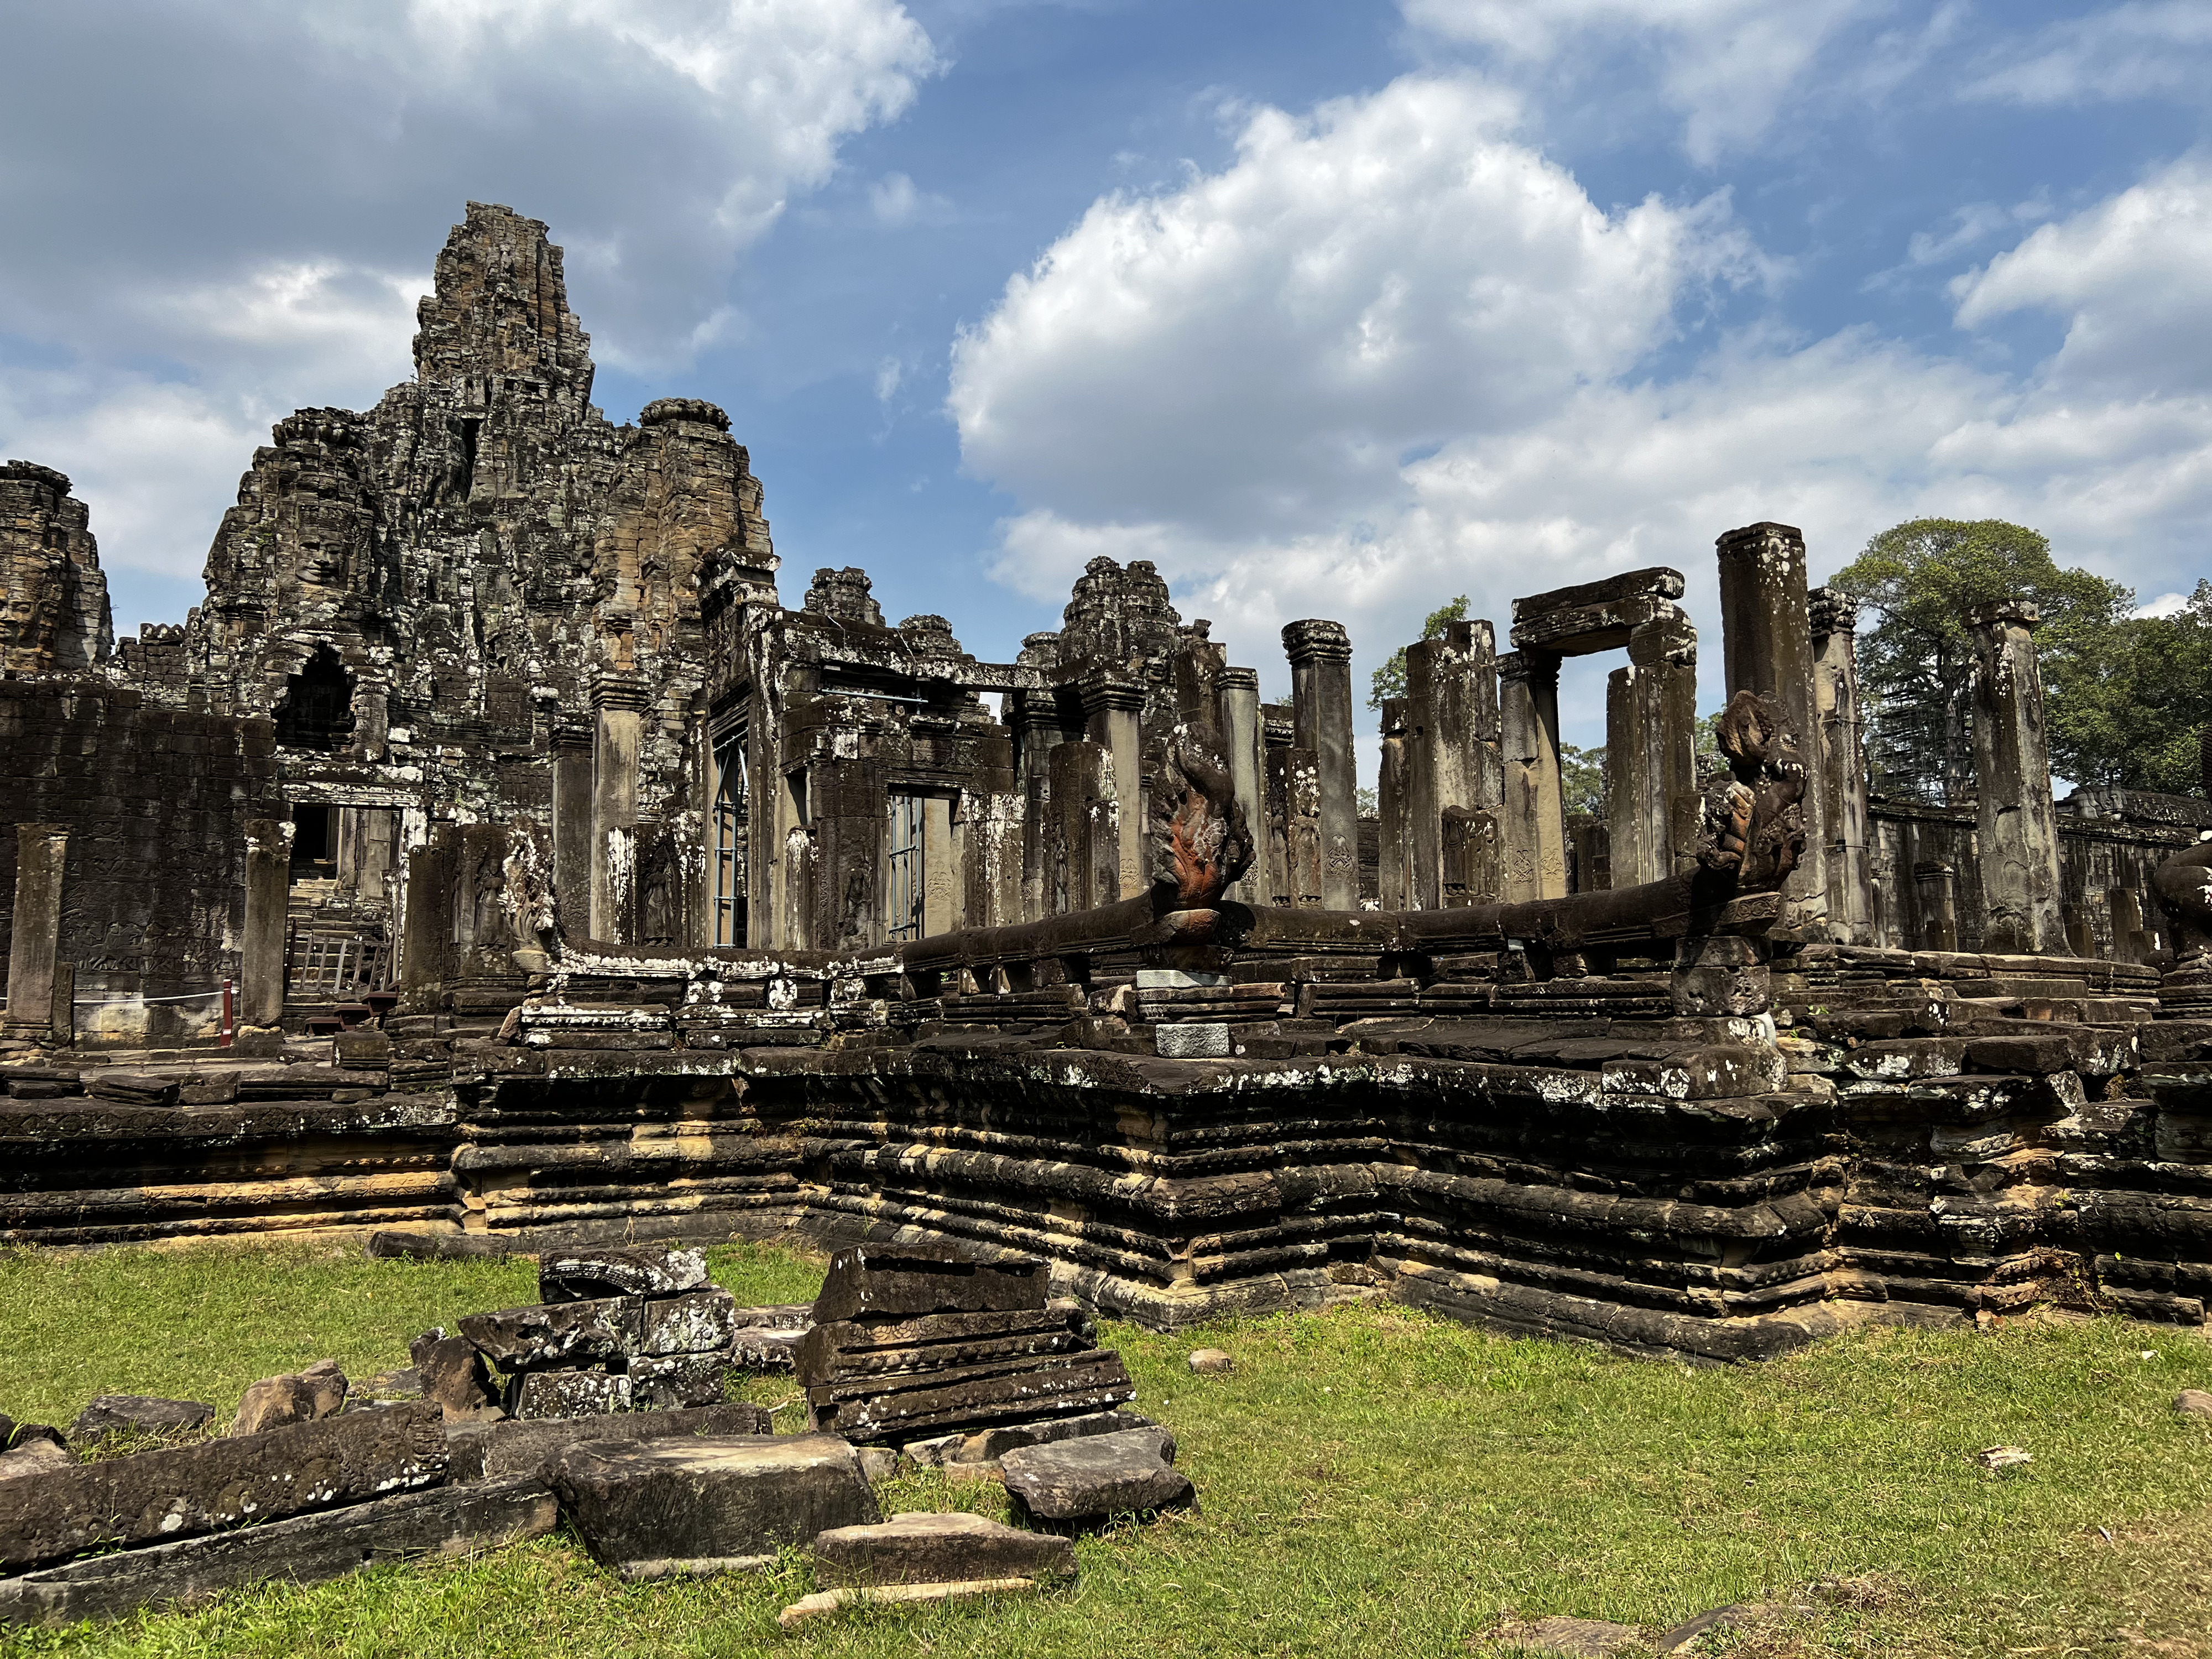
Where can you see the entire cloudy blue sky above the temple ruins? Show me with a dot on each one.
(1326, 309)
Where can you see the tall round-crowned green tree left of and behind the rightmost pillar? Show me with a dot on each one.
(1921, 581)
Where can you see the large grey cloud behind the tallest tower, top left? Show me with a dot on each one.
(238, 213)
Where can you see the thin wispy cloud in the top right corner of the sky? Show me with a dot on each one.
(2122, 52)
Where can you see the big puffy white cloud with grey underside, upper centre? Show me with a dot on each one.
(1277, 340)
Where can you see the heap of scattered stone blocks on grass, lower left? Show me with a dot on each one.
(317, 1479)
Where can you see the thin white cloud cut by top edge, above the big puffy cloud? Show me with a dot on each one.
(1726, 67)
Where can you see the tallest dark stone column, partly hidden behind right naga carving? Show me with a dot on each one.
(1766, 647)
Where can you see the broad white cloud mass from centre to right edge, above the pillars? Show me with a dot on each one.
(1390, 355)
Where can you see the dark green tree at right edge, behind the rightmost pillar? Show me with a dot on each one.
(2131, 709)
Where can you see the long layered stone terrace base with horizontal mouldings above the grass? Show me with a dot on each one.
(1678, 1187)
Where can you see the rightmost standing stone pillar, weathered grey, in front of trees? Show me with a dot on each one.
(2018, 835)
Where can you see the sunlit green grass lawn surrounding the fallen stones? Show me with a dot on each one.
(1375, 1483)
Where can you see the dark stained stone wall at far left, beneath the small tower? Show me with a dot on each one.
(156, 804)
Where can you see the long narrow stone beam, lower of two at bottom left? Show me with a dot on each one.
(306, 1550)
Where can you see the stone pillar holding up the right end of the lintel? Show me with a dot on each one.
(1651, 753)
